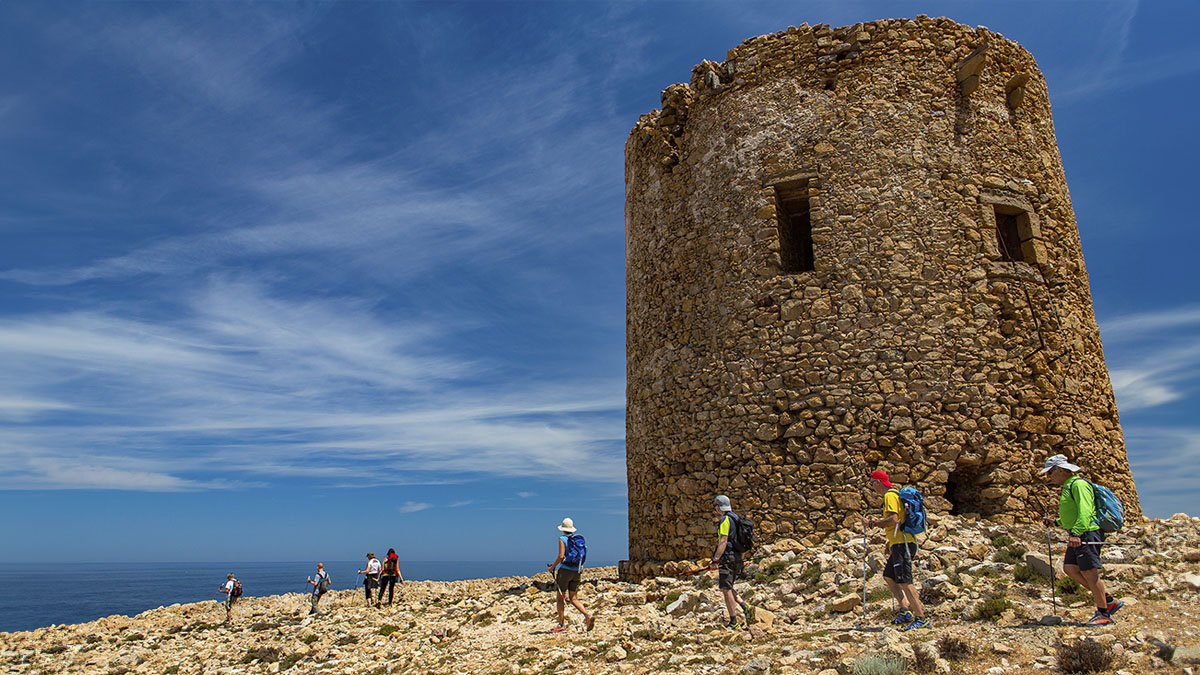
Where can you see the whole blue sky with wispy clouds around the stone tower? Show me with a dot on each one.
(299, 282)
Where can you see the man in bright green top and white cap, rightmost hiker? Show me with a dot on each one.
(1078, 517)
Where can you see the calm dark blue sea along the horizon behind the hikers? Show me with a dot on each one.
(34, 595)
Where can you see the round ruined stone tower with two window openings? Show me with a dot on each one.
(854, 249)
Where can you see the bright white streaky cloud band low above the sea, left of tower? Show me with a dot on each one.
(247, 384)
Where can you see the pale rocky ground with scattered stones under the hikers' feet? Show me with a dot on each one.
(981, 582)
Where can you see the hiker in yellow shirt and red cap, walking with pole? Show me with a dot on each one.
(902, 548)
